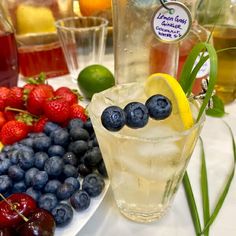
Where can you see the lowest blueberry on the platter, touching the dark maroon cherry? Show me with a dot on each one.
(62, 214)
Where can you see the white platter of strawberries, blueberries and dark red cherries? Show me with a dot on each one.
(52, 174)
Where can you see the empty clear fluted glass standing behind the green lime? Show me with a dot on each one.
(83, 41)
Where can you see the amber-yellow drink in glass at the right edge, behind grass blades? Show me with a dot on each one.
(224, 36)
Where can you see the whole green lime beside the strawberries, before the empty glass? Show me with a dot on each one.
(94, 79)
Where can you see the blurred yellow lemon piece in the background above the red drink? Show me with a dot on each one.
(32, 19)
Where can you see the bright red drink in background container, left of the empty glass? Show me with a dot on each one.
(47, 58)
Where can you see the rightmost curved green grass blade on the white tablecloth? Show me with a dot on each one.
(226, 188)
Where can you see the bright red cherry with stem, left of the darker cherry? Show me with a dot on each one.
(15, 209)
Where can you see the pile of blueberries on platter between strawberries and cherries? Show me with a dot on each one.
(61, 168)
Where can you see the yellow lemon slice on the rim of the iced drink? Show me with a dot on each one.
(168, 86)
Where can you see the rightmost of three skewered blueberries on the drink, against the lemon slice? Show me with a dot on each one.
(159, 107)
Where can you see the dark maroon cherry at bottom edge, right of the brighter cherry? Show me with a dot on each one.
(40, 222)
